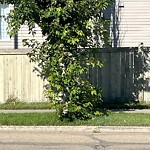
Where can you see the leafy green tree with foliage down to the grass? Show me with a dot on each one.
(68, 50)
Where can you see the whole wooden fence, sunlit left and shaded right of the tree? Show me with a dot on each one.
(124, 77)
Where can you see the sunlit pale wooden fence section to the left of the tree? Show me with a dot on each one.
(17, 78)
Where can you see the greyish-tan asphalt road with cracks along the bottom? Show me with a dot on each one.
(54, 140)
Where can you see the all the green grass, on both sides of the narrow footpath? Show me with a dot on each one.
(51, 119)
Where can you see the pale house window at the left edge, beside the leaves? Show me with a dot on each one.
(4, 10)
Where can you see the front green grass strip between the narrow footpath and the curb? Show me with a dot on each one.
(50, 119)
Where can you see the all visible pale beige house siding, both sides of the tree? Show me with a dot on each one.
(130, 26)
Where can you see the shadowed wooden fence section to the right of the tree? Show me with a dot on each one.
(125, 75)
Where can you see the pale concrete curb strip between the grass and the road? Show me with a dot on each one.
(85, 129)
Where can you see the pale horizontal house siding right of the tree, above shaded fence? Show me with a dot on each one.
(133, 23)
